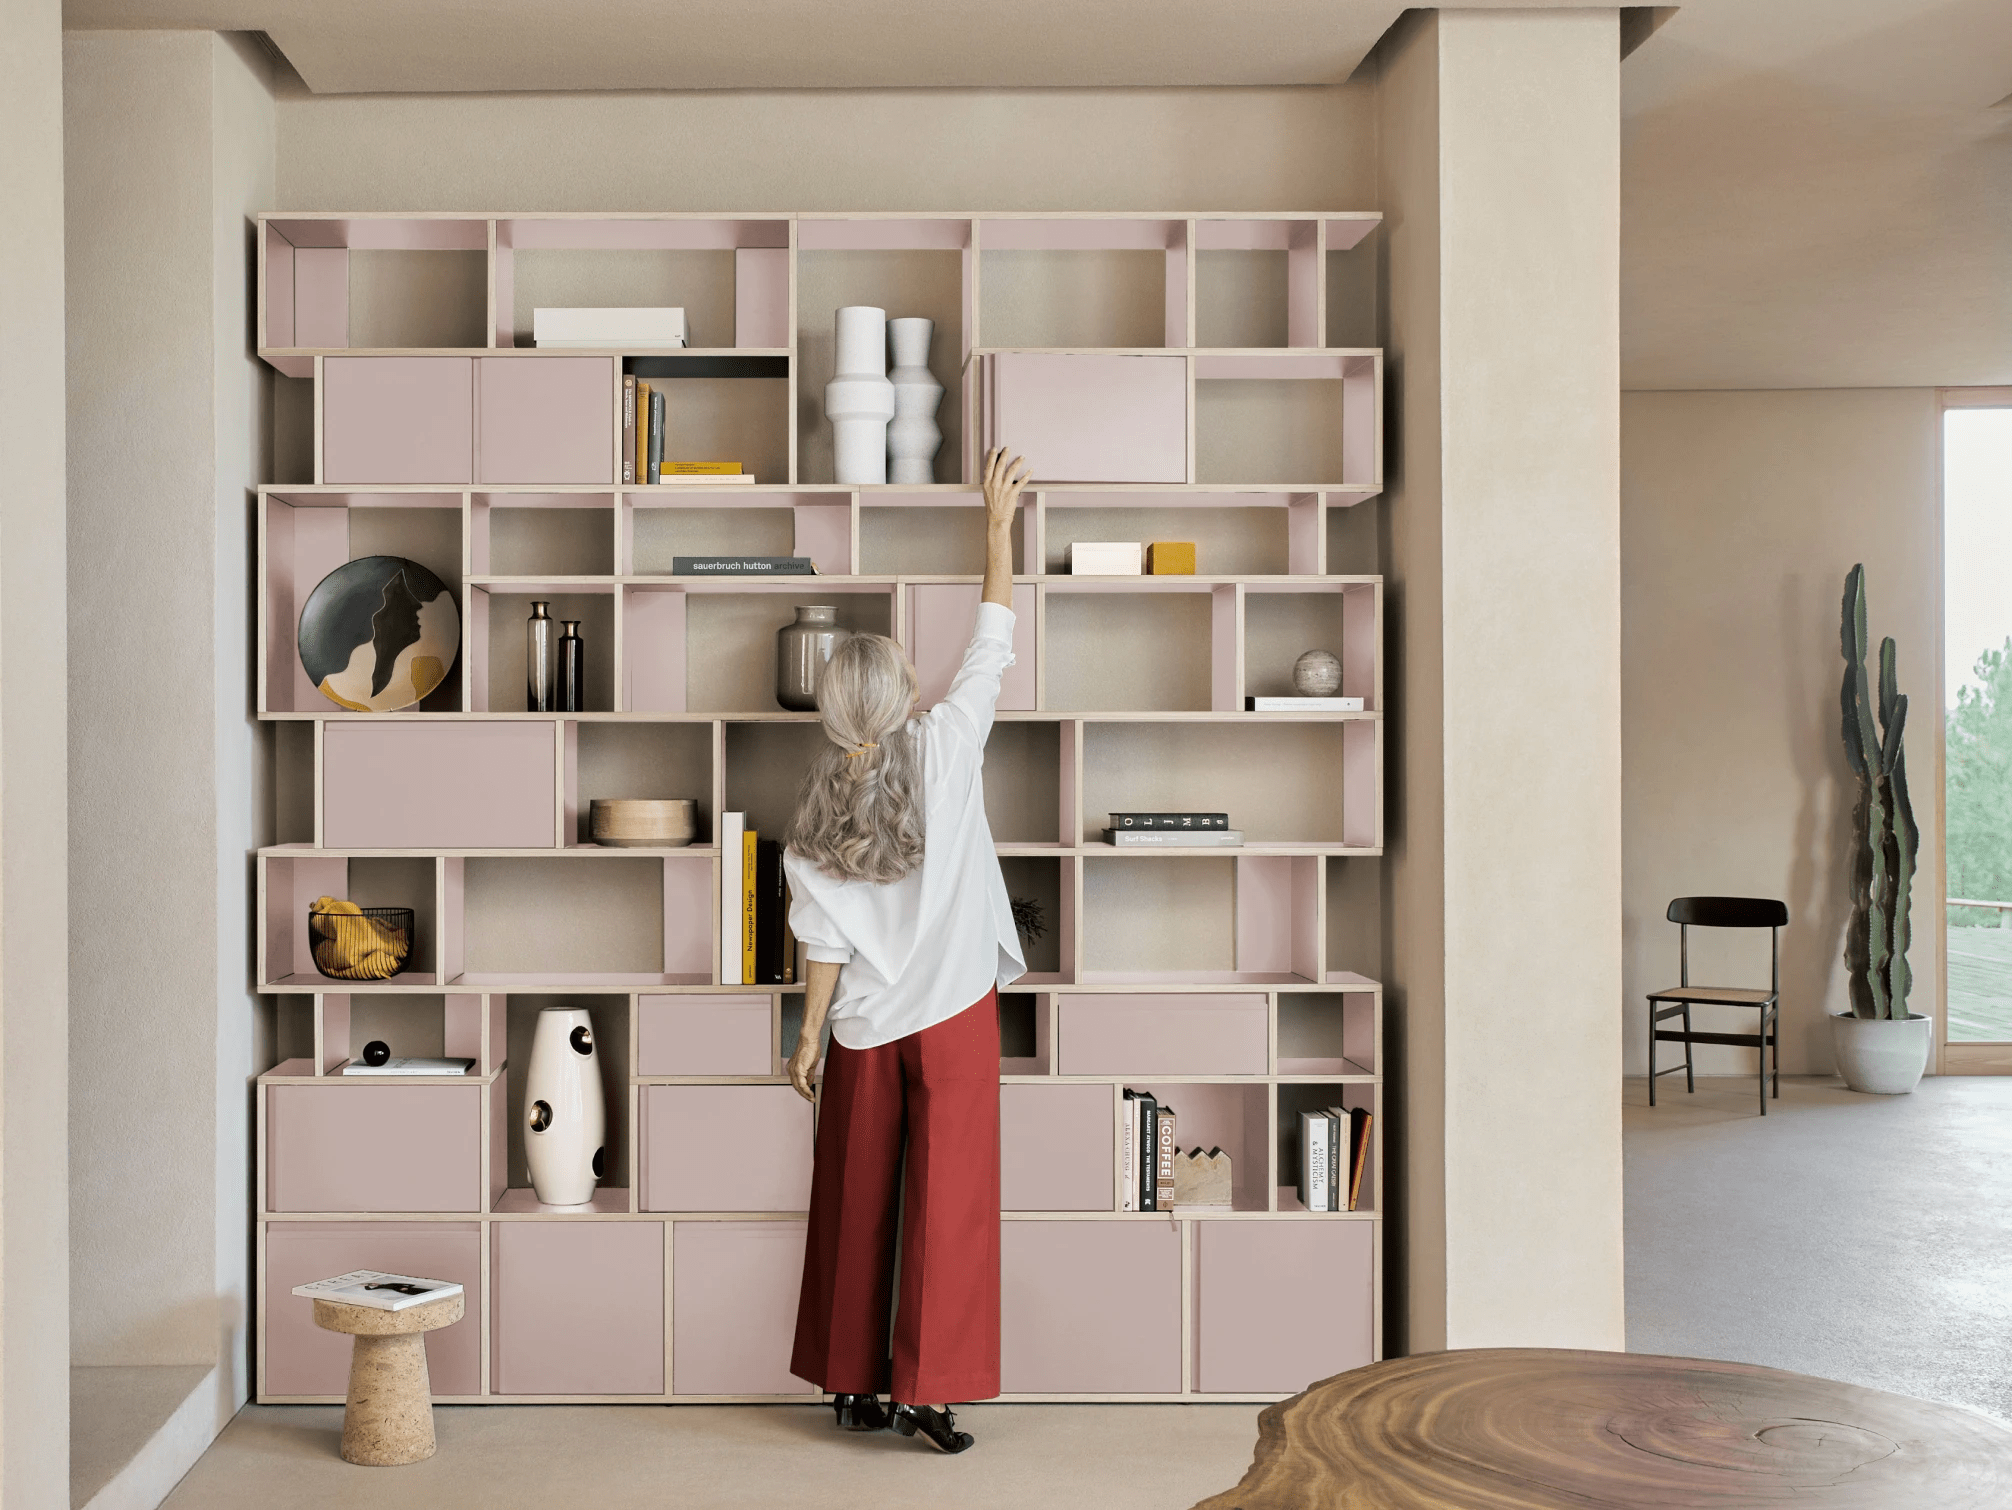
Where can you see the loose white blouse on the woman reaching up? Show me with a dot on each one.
(923, 949)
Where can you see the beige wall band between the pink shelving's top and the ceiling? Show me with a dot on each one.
(842, 150)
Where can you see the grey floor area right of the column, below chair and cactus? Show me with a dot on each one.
(1854, 1237)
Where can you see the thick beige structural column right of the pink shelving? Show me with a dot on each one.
(1500, 172)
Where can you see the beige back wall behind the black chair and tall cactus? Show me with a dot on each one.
(1741, 514)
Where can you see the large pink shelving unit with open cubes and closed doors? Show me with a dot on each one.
(1176, 380)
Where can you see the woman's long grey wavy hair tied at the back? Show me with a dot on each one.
(860, 814)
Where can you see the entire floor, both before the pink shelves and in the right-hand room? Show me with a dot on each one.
(1862, 1239)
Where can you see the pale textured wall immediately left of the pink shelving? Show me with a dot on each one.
(170, 146)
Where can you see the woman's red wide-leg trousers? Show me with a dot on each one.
(939, 1094)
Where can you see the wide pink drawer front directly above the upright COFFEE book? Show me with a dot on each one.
(1164, 1036)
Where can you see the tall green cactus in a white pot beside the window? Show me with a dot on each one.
(1880, 1046)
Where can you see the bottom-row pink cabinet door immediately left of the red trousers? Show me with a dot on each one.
(733, 1312)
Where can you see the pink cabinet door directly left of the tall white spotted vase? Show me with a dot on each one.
(373, 1149)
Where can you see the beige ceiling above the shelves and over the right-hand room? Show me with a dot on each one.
(1818, 192)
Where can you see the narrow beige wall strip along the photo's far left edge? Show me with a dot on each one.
(35, 1398)
